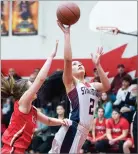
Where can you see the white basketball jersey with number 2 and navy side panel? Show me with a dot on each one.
(83, 99)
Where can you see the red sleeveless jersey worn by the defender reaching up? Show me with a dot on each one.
(21, 128)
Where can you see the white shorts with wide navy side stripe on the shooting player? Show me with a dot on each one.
(69, 139)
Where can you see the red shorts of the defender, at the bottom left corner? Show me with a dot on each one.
(6, 149)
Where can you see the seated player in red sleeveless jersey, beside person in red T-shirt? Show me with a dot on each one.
(98, 132)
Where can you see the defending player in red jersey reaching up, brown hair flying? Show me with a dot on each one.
(18, 135)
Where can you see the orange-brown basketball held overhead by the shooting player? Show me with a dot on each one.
(68, 13)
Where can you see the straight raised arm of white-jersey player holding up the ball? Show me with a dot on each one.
(67, 75)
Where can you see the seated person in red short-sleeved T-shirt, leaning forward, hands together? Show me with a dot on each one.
(117, 132)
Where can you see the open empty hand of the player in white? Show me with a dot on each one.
(96, 58)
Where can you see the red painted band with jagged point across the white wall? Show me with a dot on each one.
(109, 62)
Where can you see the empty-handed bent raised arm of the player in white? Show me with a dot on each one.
(104, 85)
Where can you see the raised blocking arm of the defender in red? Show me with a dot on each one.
(27, 98)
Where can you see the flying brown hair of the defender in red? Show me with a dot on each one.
(13, 88)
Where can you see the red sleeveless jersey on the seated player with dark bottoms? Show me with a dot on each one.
(100, 128)
